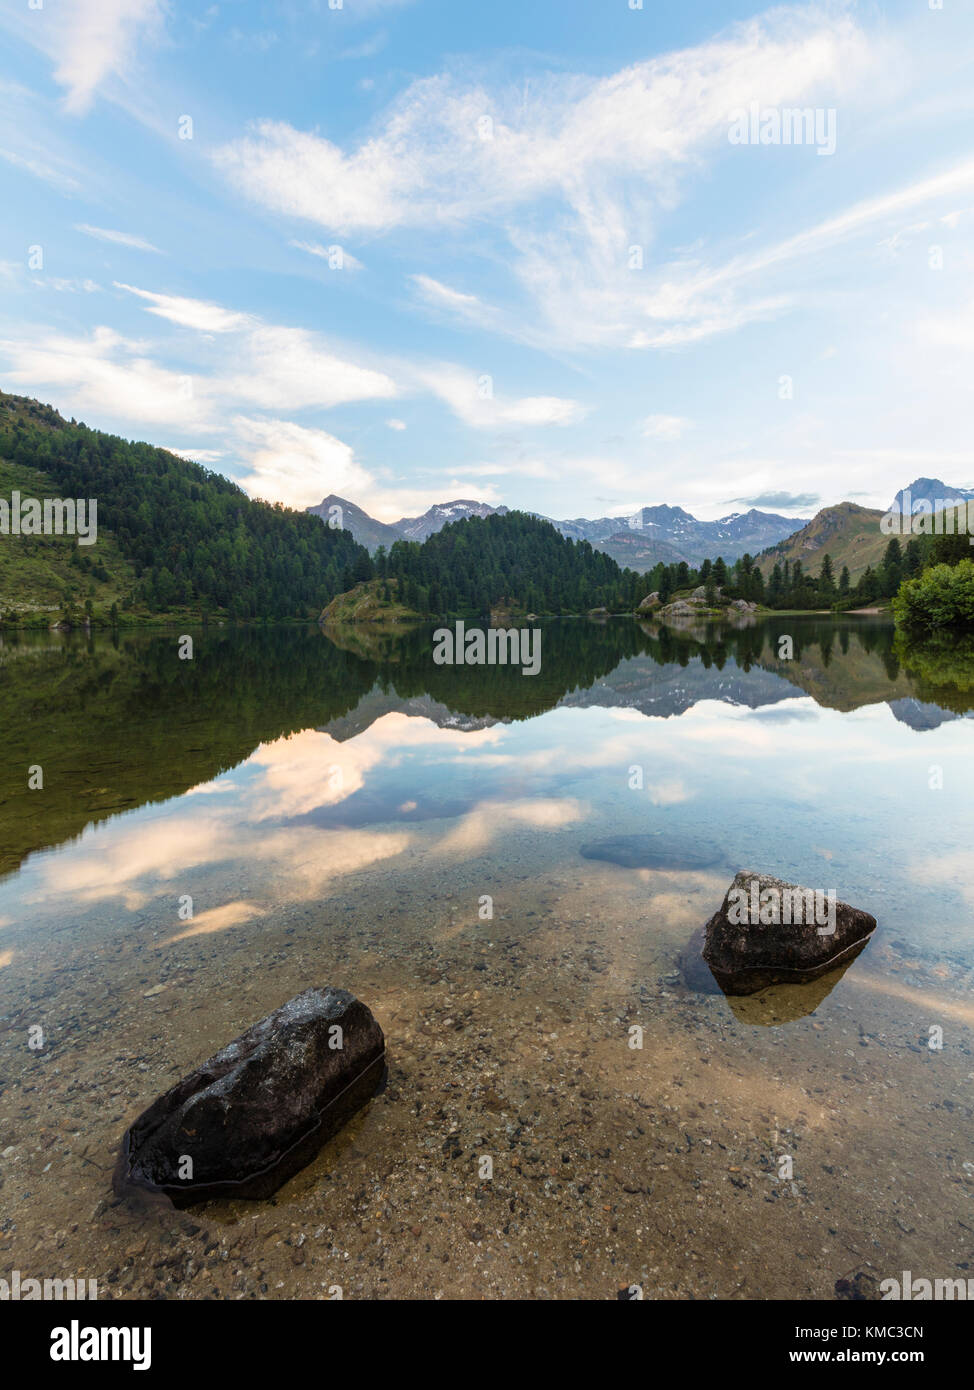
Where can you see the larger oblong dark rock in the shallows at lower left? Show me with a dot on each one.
(262, 1109)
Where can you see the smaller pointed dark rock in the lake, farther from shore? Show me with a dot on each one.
(769, 932)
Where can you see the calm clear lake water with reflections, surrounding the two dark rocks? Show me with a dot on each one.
(344, 812)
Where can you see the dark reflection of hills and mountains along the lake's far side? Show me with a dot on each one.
(119, 721)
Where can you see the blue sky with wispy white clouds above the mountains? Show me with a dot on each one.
(523, 252)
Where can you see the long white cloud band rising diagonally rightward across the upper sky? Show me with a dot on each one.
(451, 152)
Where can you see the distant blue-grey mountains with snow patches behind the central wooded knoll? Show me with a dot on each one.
(637, 541)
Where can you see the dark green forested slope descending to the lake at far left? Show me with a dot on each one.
(190, 539)
